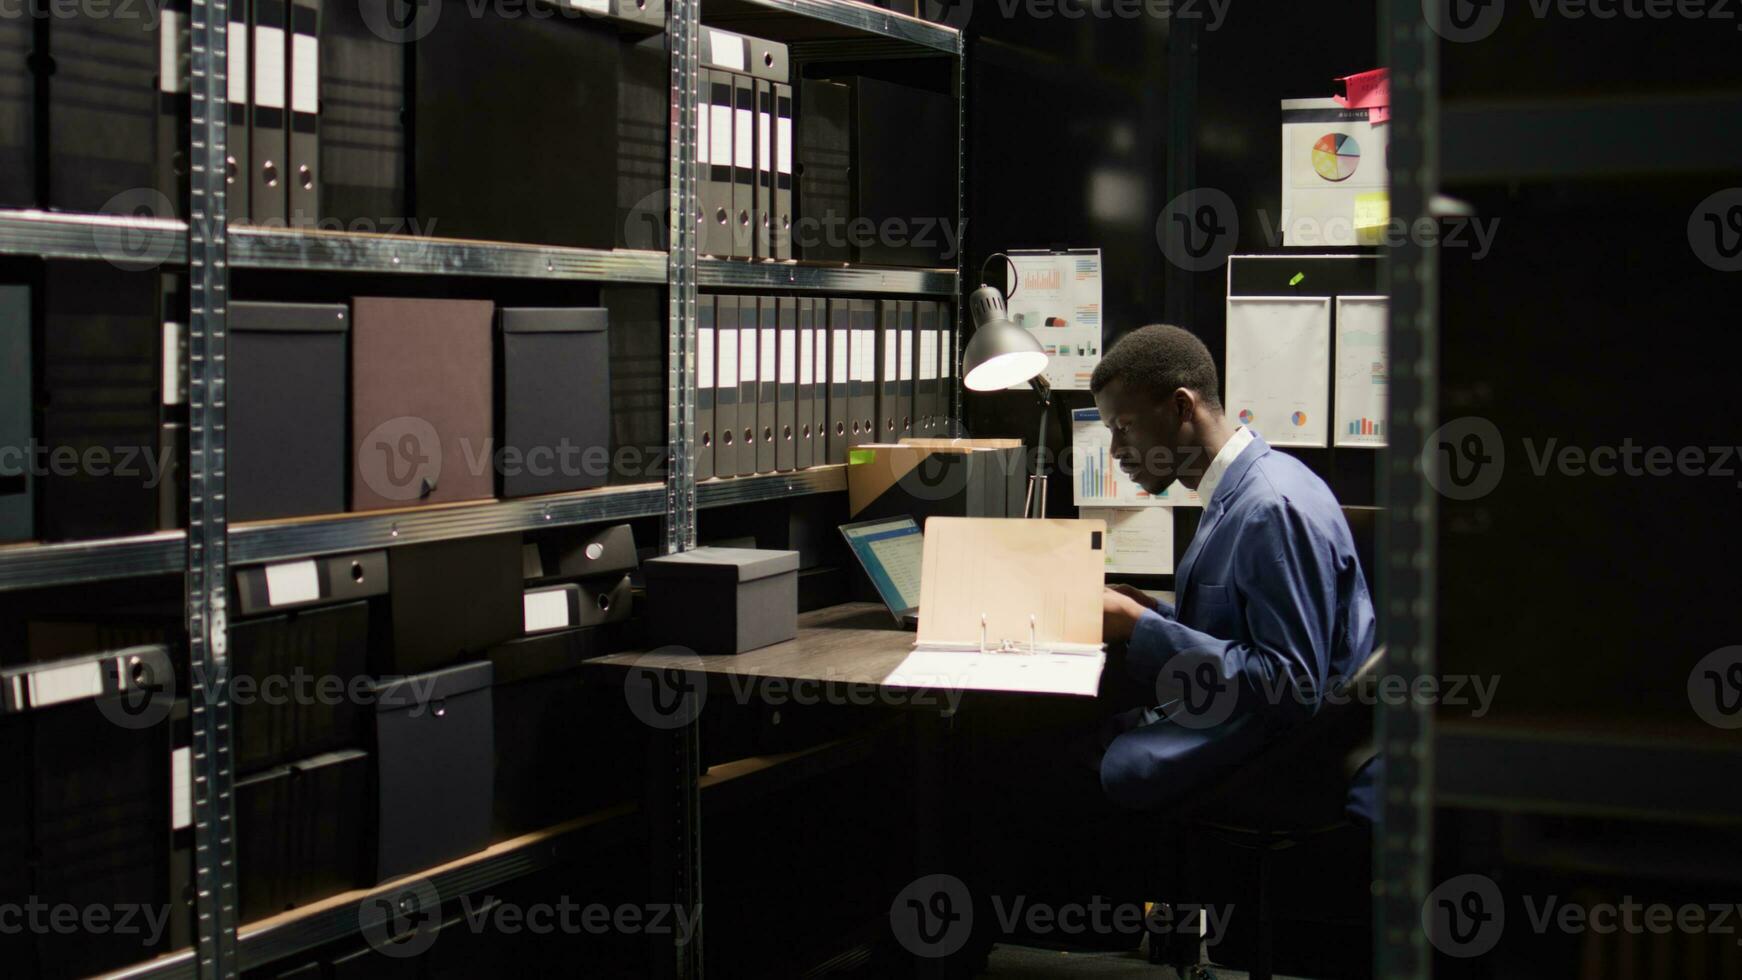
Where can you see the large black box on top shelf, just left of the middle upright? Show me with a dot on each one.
(515, 126)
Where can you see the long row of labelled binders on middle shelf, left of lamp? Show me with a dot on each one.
(795, 382)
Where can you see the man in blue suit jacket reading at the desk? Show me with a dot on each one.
(1273, 608)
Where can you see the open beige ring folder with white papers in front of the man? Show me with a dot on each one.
(1009, 607)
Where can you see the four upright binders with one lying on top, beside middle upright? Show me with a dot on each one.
(745, 149)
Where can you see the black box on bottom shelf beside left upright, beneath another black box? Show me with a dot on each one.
(302, 833)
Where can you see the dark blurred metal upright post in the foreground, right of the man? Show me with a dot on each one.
(1403, 854)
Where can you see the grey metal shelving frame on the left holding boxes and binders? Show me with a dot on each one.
(203, 553)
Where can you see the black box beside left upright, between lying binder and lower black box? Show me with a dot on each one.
(304, 669)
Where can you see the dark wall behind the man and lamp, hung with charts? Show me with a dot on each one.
(1083, 131)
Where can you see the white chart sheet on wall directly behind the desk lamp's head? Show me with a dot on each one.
(1058, 300)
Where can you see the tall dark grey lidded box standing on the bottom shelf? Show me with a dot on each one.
(433, 749)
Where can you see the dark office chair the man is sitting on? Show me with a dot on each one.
(1295, 791)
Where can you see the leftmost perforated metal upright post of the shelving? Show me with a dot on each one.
(208, 300)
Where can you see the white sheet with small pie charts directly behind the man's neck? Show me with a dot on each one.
(1279, 368)
